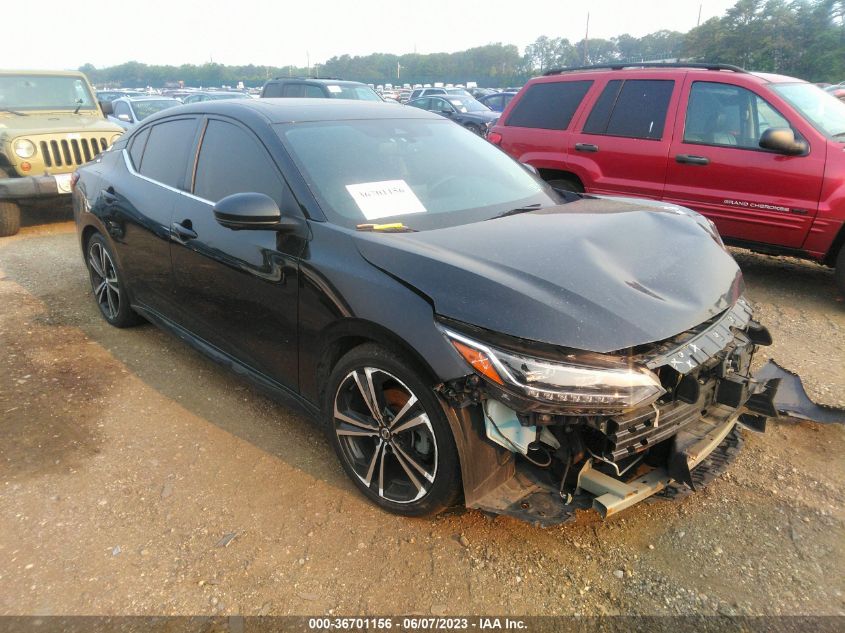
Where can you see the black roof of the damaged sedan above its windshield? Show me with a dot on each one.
(299, 110)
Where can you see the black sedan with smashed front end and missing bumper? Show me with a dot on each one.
(460, 329)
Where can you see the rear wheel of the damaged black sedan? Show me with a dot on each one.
(106, 282)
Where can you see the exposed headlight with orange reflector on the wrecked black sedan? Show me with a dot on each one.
(590, 381)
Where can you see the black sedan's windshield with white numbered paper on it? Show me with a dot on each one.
(426, 173)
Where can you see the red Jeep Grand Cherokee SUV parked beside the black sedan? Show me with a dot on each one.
(761, 155)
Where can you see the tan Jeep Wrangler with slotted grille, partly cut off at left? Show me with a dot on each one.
(50, 124)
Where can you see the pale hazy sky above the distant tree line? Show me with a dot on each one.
(53, 34)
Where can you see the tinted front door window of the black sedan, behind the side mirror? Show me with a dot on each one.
(231, 161)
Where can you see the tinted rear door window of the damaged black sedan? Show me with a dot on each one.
(168, 148)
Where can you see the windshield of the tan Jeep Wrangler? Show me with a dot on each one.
(44, 92)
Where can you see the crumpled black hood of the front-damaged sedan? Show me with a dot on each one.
(596, 274)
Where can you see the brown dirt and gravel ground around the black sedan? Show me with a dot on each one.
(128, 461)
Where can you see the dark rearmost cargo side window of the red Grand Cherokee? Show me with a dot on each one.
(549, 106)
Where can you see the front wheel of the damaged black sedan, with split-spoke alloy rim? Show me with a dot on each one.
(391, 434)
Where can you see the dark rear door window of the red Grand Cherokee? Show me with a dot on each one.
(634, 108)
